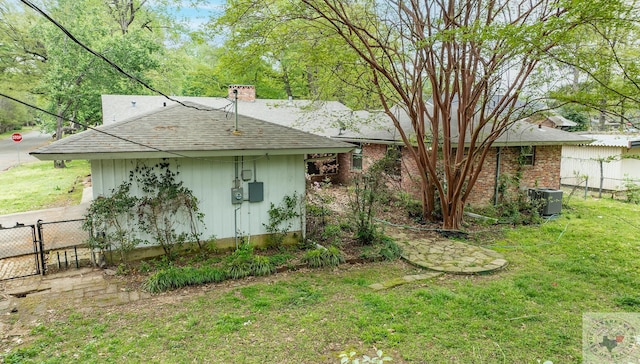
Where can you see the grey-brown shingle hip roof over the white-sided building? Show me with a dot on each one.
(191, 131)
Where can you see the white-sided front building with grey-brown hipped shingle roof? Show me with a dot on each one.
(237, 166)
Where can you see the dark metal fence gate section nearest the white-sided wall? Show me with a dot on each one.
(63, 245)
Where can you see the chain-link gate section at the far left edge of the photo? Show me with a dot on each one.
(20, 252)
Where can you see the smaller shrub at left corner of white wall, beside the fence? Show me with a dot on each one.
(108, 221)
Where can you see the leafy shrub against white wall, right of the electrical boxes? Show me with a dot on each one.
(281, 218)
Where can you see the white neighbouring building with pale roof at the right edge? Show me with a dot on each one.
(614, 158)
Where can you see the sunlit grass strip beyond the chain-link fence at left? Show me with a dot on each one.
(37, 185)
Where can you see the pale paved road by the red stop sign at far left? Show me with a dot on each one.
(12, 153)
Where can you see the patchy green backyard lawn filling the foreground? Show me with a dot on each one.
(585, 261)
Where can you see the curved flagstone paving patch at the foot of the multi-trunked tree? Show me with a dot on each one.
(448, 256)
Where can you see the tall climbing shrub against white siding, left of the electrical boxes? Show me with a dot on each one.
(164, 206)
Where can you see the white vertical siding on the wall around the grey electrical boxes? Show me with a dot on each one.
(211, 180)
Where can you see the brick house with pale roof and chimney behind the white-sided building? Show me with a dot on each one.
(373, 134)
